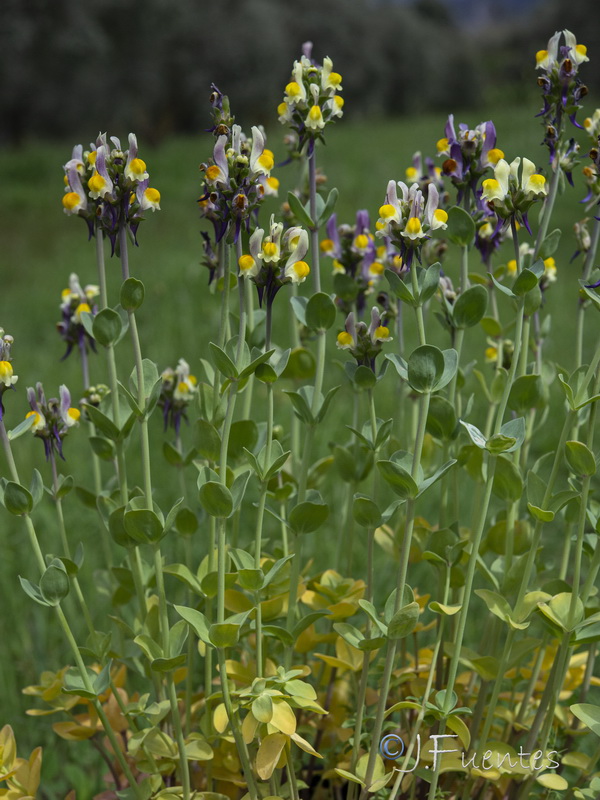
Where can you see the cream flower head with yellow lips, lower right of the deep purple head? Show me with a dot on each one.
(512, 191)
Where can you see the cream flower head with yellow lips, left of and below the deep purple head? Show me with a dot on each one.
(407, 221)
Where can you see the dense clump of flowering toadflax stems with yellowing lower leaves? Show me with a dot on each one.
(225, 662)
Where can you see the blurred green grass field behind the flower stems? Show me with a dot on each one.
(40, 246)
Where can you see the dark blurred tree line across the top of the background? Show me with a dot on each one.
(70, 66)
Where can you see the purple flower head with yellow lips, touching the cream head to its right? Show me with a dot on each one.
(468, 154)
